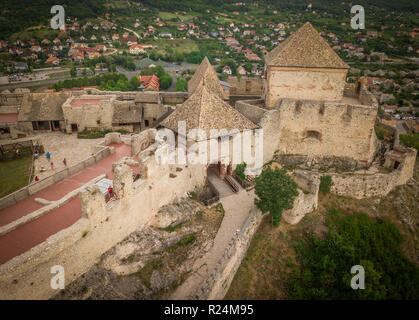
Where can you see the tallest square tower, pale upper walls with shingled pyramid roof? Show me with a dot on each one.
(304, 67)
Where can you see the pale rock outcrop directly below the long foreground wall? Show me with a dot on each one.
(174, 214)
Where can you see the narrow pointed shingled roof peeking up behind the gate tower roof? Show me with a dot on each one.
(206, 73)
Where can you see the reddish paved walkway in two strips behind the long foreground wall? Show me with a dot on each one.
(34, 232)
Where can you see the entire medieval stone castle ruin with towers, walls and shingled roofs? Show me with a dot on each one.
(311, 120)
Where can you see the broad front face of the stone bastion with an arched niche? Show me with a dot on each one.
(321, 129)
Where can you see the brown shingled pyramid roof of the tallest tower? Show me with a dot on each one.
(305, 49)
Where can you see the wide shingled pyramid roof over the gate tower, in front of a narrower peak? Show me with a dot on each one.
(206, 110)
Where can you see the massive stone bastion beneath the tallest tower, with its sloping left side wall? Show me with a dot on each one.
(314, 129)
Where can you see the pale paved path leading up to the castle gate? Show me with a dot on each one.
(237, 208)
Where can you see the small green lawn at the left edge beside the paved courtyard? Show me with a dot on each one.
(14, 174)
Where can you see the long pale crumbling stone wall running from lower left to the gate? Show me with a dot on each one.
(102, 225)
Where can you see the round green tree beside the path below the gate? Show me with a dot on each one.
(276, 192)
